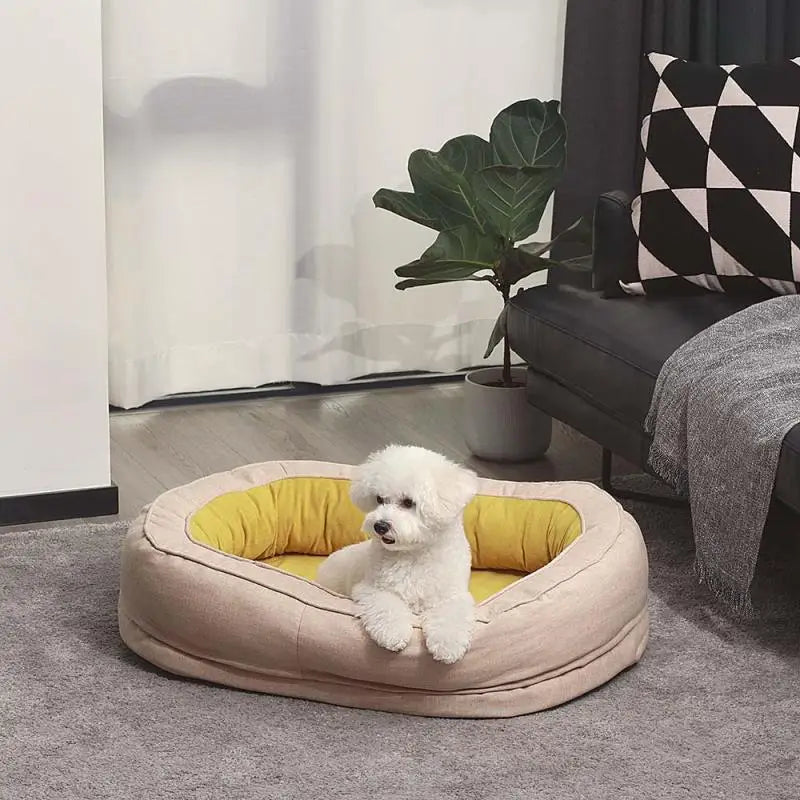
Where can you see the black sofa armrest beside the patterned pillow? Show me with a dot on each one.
(614, 256)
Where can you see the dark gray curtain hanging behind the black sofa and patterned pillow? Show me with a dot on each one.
(604, 44)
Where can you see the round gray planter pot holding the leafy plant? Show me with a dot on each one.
(499, 423)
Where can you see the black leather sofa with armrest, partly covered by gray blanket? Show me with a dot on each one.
(594, 354)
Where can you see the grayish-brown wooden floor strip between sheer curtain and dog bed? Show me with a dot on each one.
(156, 450)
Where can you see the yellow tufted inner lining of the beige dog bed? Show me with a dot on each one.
(294, 523)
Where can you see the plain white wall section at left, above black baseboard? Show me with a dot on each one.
(53, 332)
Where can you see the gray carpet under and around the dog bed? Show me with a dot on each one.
(713, 710)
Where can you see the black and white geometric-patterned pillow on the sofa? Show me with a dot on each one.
(720, 195)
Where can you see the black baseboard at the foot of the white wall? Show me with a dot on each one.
(23, 509)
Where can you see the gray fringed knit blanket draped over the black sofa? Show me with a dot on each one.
(723, 404)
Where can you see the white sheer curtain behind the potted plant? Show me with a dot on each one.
(244, 141)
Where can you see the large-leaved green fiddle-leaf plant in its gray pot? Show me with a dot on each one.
(486, 199)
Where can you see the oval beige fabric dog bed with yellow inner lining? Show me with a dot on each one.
(217, 583)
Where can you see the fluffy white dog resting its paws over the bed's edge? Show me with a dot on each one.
(418, 558)
